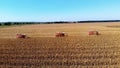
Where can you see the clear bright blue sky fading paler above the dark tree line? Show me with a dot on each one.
(58, 10)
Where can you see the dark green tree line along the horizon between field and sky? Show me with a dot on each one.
(56, 22)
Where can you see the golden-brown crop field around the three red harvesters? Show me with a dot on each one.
(44, 50)
